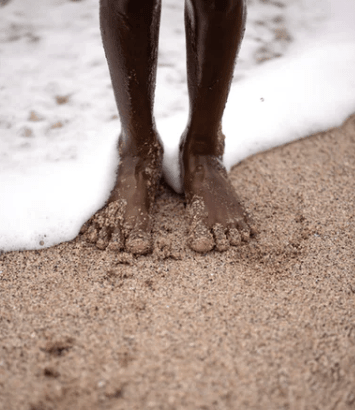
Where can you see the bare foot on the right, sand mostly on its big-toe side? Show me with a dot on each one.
(217, 218)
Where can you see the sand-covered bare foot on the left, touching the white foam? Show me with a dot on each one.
(125, 221)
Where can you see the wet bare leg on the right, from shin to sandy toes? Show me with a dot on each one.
(214, 31)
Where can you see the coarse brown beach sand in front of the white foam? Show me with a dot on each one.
(268, 325)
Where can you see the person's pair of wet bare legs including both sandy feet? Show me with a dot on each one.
(130, 30)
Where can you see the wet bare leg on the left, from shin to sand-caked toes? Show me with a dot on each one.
(130, 31)
